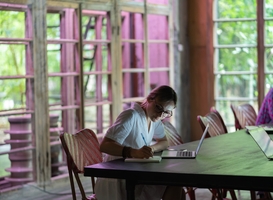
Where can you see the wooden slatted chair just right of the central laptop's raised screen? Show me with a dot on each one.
(217, 127)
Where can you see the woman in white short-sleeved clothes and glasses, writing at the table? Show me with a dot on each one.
(131, 136)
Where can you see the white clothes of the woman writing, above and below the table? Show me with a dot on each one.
(128, 129)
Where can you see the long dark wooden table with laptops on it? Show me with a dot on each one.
(231, 160)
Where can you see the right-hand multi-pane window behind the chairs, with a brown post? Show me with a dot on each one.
(240, 75)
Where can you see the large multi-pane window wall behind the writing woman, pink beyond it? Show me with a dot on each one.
(100, 56)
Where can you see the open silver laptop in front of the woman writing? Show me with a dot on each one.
(185, 153)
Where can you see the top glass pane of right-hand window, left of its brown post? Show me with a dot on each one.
(229, 9)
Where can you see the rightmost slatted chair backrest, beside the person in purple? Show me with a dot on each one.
(244, 115)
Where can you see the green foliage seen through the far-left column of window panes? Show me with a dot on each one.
(12, 60)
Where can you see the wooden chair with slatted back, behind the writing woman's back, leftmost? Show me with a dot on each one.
(81, 149)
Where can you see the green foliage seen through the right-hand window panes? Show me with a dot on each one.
(240, 29)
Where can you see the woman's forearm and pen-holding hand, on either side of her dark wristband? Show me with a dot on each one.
(111, 147)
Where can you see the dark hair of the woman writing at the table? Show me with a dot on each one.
(163, 93)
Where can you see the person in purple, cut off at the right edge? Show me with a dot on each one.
(265, 115)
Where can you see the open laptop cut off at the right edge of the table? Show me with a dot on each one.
(263, 141)
